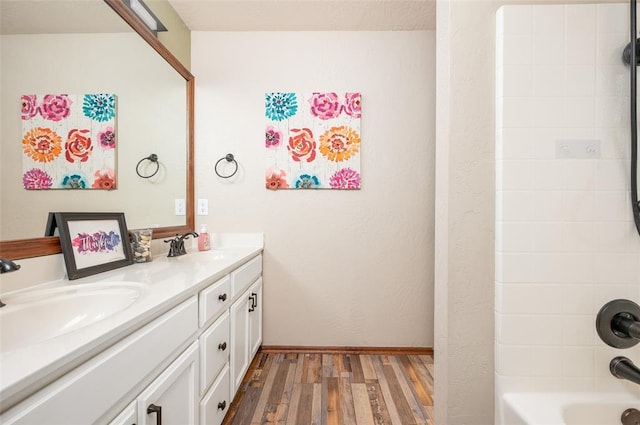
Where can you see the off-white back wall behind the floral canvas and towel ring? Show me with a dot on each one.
(343, 268)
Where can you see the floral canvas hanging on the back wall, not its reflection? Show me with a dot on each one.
(313, 140)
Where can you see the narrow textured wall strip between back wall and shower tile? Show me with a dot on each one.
(465, 208)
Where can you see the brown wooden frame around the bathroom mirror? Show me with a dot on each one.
(36, 247)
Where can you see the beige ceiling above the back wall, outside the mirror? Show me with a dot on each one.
(306, 15)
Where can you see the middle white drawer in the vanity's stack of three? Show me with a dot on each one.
(214, 350)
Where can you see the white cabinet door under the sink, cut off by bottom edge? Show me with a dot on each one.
(173, 396)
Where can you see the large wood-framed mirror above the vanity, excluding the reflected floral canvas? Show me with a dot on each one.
(151, 119)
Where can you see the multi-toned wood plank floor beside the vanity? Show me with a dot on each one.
(335, 389)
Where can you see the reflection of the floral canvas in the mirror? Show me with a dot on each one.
(69, 141)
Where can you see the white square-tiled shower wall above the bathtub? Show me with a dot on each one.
(565, 240)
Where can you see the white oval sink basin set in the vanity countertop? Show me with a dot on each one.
(38, 315)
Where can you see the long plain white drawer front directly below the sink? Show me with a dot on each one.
(87, 393)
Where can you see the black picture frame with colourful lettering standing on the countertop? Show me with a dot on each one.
(93, 242)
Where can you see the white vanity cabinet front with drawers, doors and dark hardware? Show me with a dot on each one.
(183, 367)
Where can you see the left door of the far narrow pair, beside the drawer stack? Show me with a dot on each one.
(239, 355)
